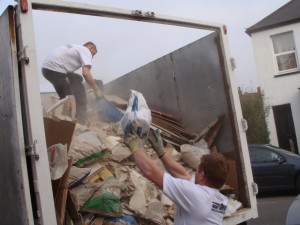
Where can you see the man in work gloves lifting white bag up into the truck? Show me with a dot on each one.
(197, 198)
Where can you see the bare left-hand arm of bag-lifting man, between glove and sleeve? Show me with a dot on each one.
(149, 168)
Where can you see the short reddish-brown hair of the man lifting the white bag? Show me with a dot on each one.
(216, 168)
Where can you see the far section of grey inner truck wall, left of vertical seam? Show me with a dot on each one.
(155, 80)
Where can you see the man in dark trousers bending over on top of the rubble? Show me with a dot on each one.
(59, 67)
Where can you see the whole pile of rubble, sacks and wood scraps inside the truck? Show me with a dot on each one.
(103, 184)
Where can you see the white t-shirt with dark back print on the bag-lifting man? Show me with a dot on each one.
(195, 204)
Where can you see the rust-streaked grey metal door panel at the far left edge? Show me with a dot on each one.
(12, 198)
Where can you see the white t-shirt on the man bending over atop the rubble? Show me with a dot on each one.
(68, 58)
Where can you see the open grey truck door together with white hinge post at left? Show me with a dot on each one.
(26, 192)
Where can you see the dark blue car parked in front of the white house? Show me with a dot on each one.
(274, 168)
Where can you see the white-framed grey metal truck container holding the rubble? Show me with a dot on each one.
(194, 83)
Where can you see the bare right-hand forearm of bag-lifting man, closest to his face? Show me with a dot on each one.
(174, 168)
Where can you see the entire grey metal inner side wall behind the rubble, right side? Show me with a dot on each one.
(188, 83)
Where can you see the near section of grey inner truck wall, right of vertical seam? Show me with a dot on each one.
(202, 95)
